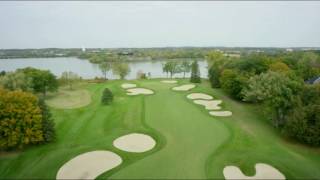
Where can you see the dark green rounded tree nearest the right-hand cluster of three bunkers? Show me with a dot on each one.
(233, 82)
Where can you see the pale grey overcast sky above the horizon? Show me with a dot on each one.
(158, 24)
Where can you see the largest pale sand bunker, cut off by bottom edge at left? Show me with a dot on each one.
(89, 165)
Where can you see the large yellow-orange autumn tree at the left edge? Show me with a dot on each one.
(20, 119)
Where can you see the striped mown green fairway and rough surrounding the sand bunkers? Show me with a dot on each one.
(190, 142)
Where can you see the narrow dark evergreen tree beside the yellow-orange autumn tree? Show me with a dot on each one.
(47, 122)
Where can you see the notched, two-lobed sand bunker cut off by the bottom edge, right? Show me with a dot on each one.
(263, 171)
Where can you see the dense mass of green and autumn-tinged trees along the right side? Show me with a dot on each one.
(278, 83)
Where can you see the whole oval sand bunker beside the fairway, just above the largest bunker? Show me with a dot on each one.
(134, 142)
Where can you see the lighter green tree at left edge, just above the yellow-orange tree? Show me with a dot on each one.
(16, 81)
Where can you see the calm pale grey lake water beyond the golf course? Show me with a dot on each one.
(87, 70)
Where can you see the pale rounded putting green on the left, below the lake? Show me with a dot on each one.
(70, 99)
